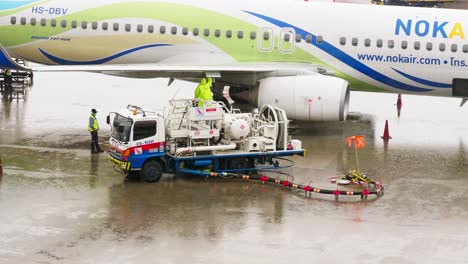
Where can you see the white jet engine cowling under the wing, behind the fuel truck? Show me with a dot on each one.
(305, 97)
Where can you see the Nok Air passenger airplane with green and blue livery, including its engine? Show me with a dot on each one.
(301, 56)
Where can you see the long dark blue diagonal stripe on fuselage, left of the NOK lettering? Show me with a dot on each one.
(344, 57)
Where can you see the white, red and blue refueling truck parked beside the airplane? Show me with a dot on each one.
(206, 141)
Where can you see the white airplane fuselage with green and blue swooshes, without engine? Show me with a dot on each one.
(375, 48)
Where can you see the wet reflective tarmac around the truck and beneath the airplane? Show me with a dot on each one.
(60, 204)
